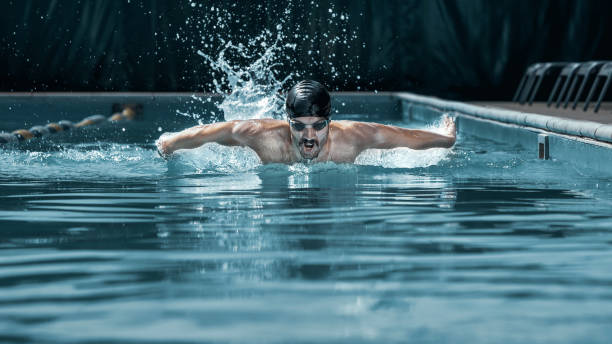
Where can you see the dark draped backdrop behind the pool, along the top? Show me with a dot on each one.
(462, 49)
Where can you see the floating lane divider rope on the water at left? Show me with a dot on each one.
(121, 112)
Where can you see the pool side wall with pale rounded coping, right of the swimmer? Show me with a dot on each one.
(585, 144)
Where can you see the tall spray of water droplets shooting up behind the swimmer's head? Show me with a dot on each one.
(251, 71)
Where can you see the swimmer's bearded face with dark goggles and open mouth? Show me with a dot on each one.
(309, 135)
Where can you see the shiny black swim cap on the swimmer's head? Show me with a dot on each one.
(308, 98)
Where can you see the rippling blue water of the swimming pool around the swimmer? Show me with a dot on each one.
(104, 241)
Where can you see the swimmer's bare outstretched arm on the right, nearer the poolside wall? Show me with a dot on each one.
(386, 137)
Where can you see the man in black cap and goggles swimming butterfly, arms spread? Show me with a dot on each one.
(308, 134)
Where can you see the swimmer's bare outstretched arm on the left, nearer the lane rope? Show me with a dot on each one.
(225, 133)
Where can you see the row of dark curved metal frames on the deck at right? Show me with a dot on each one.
(568, 75)
